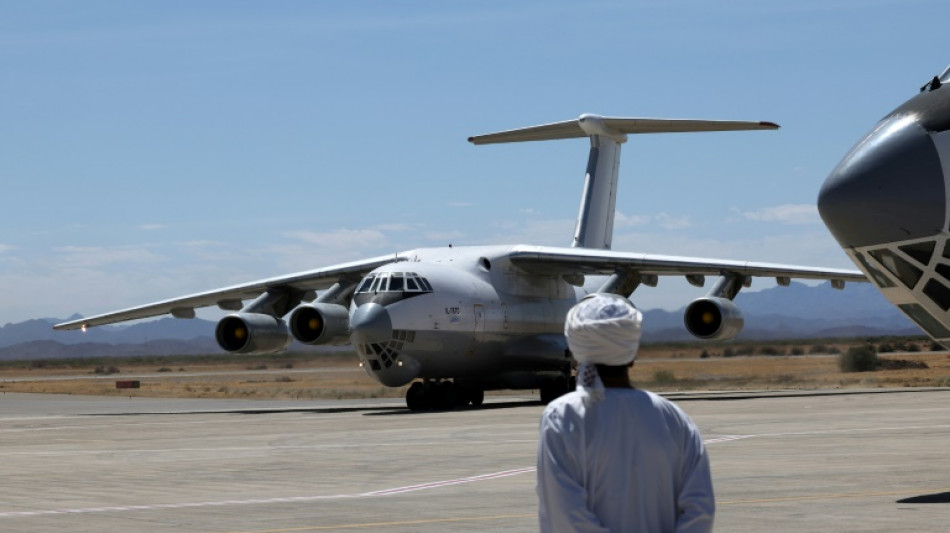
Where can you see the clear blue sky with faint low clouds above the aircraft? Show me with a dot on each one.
(154, 149)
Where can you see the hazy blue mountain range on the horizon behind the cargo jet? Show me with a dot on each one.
(797, 311)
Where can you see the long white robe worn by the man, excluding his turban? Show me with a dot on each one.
(631, 462)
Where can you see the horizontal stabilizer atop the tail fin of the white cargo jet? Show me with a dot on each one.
(588, 125)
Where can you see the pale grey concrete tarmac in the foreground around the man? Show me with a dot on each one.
(862, 461)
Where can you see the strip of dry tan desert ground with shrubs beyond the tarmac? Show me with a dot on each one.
(664, 368)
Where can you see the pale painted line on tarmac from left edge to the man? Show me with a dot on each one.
(292, 499)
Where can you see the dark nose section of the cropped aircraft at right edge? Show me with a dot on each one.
(886, 204)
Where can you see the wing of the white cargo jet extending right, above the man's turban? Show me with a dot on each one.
(590, 261)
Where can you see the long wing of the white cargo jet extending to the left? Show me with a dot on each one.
(231, 297)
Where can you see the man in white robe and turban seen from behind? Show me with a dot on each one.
(615, 458)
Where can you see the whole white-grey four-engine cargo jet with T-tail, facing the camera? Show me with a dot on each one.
(462, 320)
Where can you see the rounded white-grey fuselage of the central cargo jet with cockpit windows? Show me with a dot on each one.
(481, 317)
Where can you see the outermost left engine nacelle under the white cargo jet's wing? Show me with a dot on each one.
(252, 334)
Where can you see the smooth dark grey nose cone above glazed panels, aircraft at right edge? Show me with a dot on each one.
(888, 188)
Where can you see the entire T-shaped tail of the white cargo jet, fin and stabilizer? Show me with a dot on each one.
(595, 222)
